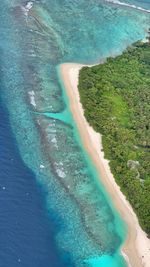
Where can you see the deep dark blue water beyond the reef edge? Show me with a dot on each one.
(26, 229)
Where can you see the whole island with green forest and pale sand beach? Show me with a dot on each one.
(110, 105)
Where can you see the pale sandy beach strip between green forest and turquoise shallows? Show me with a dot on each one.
(136, 249)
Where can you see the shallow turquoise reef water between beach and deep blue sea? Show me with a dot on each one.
(33, 45)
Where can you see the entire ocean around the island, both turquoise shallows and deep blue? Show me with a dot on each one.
(54, 211)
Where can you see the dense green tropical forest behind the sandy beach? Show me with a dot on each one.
(116, 101)
